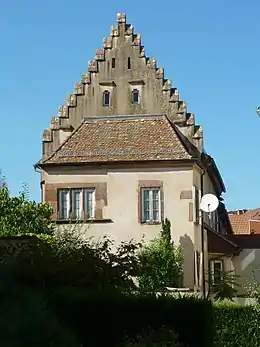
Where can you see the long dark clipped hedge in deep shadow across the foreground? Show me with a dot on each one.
(106, 318)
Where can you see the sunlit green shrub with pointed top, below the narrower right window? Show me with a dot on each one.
(160, 263)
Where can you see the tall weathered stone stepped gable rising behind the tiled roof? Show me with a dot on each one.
(118, 67)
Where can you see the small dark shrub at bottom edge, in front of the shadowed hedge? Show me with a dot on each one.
(154, 338)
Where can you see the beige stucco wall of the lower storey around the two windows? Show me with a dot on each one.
(122, 207)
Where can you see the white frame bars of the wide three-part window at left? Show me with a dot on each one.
(82, 202)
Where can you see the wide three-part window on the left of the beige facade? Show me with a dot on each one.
(76, 204)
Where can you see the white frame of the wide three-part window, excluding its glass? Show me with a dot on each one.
(70, 204)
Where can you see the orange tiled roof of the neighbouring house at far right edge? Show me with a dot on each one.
(247, 222)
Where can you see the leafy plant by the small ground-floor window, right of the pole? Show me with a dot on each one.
(225, 285)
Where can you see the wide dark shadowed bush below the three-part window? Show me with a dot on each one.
(66, 260)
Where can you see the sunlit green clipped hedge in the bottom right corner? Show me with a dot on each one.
(236, 326)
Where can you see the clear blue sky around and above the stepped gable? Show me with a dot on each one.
(209, 49)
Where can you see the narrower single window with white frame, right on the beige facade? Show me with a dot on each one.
(151, 206)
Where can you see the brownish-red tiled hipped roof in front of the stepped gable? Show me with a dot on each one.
(126, 138)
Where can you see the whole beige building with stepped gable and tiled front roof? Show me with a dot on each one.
(124, 153)
